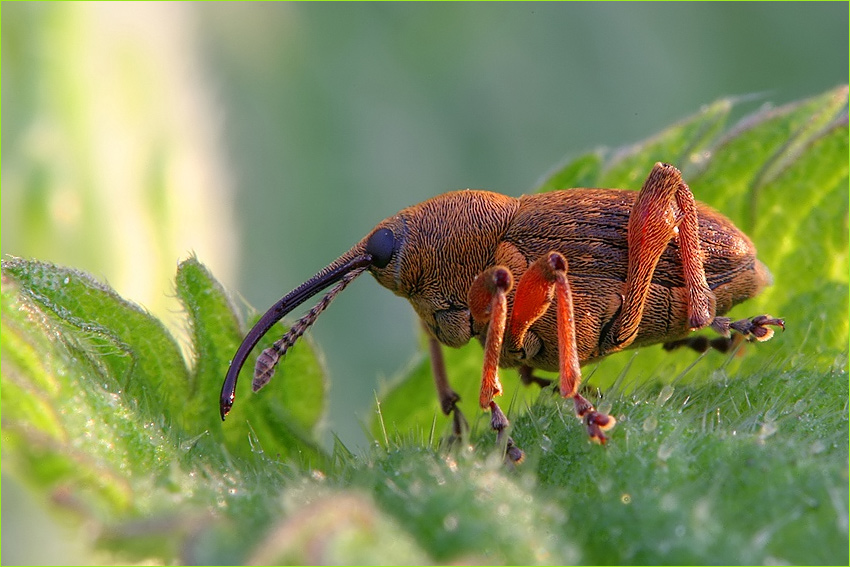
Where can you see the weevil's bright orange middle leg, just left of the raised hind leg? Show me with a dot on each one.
(545, 281)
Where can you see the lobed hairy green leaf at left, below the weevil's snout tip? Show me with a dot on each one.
(99, 407)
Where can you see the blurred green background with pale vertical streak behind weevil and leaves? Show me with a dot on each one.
(268, 138)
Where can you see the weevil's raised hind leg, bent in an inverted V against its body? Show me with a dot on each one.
(664, 209)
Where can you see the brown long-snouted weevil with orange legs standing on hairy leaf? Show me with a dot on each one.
(549, 281)
